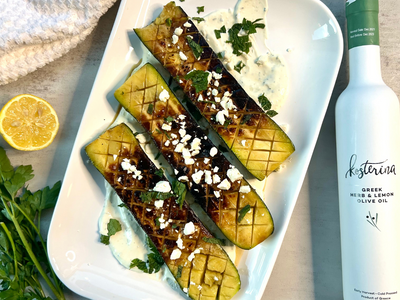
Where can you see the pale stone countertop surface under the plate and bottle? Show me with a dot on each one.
(309, 263)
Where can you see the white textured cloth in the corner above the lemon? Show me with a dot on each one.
(35, 32)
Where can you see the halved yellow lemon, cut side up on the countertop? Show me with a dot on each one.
(28, 123)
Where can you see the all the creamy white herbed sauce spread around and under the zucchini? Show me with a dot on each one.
(264, 73)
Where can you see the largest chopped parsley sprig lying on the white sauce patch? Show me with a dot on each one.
(241, 42)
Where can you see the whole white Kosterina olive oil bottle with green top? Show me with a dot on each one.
(368, 158)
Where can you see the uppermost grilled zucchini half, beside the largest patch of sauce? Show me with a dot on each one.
(258, 142)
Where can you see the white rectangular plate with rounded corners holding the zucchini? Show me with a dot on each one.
(84, 264)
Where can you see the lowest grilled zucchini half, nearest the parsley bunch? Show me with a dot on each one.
(202, 269)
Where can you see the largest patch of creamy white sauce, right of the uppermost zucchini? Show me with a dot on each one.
(264, 73)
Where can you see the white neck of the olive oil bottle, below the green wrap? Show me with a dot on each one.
(365, 65)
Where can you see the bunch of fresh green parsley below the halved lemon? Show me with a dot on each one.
(23, 253)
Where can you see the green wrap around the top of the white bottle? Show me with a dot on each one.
(362, 23)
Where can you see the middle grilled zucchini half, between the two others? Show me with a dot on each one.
(217, 186)
